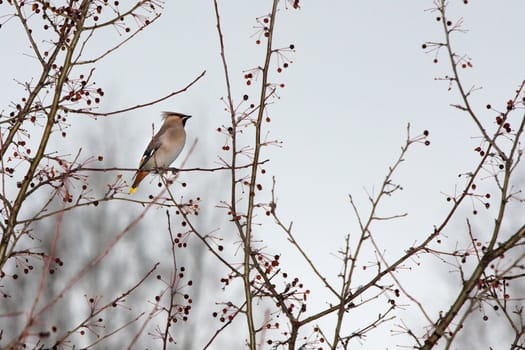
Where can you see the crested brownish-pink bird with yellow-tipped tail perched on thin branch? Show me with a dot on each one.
(164, 147)
